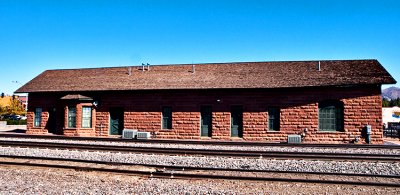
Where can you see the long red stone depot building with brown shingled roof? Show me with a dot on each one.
(328, 101)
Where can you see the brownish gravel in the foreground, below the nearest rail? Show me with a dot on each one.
(26, 180)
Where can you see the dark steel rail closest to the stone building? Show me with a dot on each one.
(200, 142)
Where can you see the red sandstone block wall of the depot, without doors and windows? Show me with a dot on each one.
(299, 110)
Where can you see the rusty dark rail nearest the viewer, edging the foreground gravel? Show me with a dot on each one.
(199, 176)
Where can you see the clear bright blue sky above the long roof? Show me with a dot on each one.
(36, 35)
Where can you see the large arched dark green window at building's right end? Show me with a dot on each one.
(330, 116)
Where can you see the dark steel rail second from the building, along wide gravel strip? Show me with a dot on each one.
(207, 152)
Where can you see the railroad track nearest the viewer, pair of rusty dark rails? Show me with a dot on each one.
(170, 172)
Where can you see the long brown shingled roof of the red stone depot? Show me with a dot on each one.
(285, 74)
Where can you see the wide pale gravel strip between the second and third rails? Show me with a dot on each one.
(383, 168)
